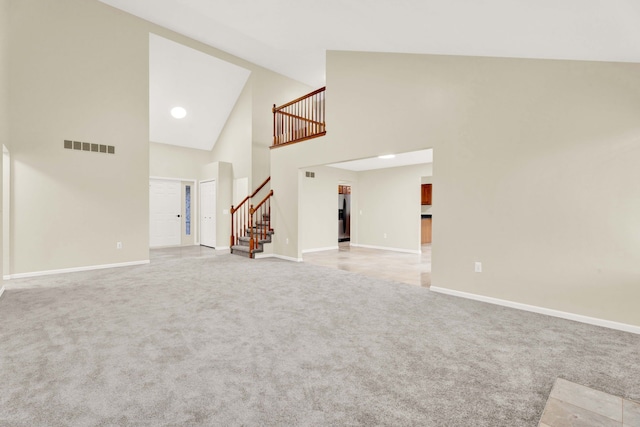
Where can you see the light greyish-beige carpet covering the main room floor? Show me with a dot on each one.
(231, 341)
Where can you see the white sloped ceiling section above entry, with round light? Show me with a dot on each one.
(205, 86)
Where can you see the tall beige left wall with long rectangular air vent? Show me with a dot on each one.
(79, 71)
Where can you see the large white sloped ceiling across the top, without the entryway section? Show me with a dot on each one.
(291, 36)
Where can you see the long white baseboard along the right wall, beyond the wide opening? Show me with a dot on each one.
(541, 310)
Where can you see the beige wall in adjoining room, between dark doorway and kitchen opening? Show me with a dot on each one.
(389, 207)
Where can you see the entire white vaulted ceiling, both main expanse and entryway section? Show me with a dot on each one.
(291, 37)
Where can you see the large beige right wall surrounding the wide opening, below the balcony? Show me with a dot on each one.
(535, 172)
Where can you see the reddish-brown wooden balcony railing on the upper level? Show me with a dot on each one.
(299, 119)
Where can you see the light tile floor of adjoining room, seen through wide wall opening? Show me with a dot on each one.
(414, 269)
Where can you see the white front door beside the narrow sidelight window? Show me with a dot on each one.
(164, 213)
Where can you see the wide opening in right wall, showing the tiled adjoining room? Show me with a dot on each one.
(386, 216)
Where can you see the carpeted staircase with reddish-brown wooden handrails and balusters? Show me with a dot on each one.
(251, 226)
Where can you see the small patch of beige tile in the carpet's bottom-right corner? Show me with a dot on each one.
(572, 404)
